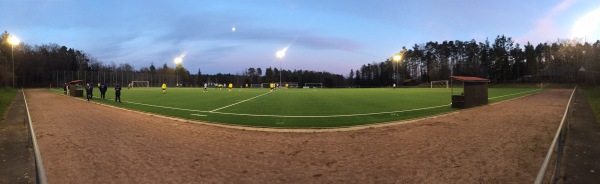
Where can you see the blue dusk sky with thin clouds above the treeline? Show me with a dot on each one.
(322, 35)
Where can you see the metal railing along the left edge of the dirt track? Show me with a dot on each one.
(39, 165)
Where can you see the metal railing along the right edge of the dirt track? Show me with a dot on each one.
(557, 146)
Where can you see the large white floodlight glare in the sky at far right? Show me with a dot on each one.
(587, 26)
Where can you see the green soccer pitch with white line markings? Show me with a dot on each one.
(296, 108)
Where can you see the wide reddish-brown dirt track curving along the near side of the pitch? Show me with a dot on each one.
(502, 143)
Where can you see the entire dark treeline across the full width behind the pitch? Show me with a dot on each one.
(501, 61)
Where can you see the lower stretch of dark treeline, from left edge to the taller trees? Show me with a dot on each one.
(41, 65)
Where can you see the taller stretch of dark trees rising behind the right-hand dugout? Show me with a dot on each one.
(502, 61)
